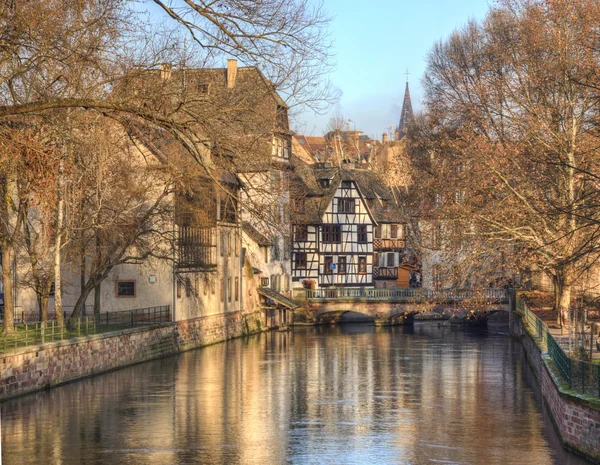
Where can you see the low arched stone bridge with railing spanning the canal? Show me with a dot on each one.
(399, 306)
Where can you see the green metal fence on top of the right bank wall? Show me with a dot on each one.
(579, 375)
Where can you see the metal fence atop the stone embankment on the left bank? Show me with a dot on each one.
(36, 333)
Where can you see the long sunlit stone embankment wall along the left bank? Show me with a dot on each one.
(40, 367)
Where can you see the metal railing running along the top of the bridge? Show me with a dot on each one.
(405, 294)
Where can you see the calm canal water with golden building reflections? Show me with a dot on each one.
(352, 394)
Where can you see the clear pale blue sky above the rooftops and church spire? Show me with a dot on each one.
(375, 43)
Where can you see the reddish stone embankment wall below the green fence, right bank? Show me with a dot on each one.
(576, 417)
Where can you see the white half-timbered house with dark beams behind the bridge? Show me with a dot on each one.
(348, 229)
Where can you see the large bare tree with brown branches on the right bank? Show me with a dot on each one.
(510, 137)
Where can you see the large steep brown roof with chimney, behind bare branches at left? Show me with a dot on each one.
(236, 124)
